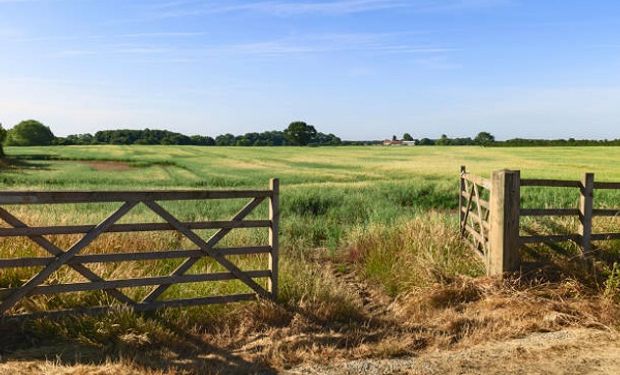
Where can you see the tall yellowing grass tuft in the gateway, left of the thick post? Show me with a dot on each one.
(412, 253)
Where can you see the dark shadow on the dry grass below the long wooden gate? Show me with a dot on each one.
(187, 353)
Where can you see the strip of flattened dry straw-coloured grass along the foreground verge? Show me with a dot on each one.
(266, 337)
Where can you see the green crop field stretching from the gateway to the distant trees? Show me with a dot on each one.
(328, 194)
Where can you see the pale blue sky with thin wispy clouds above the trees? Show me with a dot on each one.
(362, 69)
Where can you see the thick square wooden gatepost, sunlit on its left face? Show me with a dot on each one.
(504, 216)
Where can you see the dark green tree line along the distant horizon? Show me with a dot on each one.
(298, 133)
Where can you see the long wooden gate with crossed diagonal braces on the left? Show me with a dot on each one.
(71, 257)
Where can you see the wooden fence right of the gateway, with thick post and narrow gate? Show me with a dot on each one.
(492, 226)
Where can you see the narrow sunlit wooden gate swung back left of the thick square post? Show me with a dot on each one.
(474, 212)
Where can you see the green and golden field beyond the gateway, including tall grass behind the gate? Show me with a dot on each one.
(386, 214)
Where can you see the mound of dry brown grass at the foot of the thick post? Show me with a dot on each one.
(470, 311)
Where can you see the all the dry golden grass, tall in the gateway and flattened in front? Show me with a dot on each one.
(418, 266)
